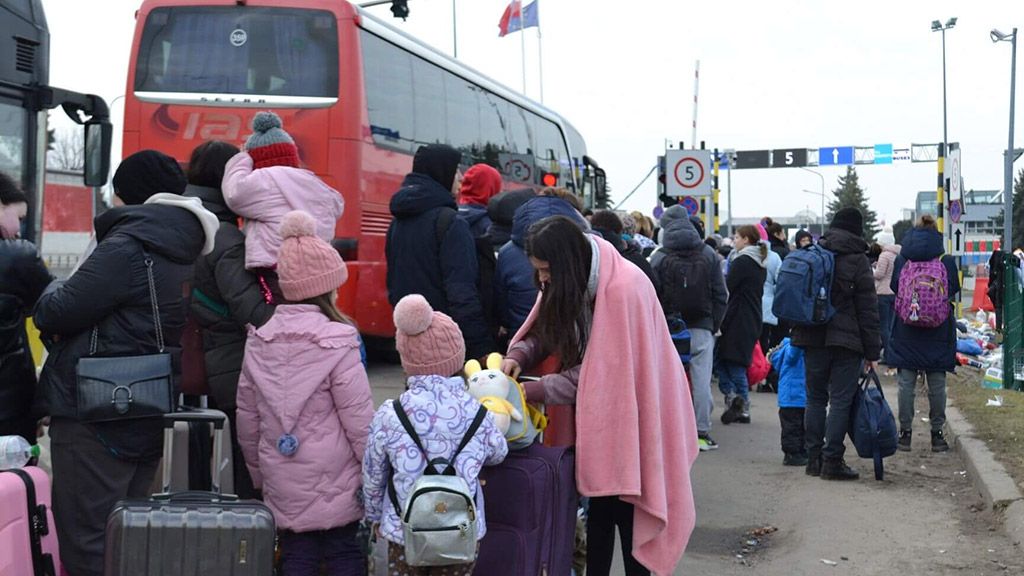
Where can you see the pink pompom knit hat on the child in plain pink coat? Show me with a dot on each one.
(308, 267)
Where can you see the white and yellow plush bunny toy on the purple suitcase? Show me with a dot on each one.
(520, 422)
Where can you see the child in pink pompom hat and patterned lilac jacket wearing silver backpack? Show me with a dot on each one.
(433, 441)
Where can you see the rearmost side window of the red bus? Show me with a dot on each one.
(388, 71)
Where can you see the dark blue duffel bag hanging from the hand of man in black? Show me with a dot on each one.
(873, 427)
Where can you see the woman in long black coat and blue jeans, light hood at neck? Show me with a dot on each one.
(742, 324)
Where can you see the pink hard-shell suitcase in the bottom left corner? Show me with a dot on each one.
(28, 536)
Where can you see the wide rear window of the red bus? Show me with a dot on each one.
(239, 51)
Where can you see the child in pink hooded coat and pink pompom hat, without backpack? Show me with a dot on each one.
(305, 409)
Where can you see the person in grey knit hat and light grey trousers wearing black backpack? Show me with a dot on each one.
(680, 240)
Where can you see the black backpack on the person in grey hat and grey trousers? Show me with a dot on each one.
(686, 284)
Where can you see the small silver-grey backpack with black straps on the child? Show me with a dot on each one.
(440, 517)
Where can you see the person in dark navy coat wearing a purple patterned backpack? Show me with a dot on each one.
(924, 331)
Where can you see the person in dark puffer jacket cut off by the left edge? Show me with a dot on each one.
(23, 279)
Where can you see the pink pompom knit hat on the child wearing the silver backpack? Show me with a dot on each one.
(429, 342)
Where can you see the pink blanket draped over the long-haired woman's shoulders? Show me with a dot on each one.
(637, 442)
